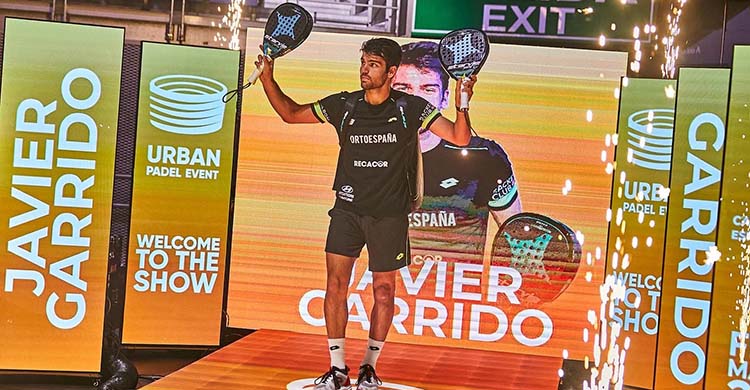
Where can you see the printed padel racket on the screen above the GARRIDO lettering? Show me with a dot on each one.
(546, 253)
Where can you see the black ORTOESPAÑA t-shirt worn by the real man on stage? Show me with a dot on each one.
(371, 172)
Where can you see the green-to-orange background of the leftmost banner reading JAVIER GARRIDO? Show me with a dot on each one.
(37, 55)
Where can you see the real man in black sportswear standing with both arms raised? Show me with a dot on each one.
(378, 130)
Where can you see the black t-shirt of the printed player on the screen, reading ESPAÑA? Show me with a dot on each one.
(462, 186)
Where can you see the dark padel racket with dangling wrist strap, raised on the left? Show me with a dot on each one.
(287, 28)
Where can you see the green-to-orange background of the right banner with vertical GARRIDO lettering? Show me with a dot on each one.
(698, 91)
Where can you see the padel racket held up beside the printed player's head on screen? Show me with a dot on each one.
(462, 54)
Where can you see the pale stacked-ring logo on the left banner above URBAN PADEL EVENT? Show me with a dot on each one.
(186, 104)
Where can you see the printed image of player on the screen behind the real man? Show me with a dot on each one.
(463, 185)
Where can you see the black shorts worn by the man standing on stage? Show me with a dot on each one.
(387, 238)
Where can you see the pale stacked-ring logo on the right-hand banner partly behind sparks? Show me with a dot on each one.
(650, 139)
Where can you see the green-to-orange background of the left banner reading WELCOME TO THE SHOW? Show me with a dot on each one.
(180, 206)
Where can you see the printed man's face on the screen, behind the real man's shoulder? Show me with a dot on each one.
(422, 82)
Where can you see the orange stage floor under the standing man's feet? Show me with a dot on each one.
(276, 360)
